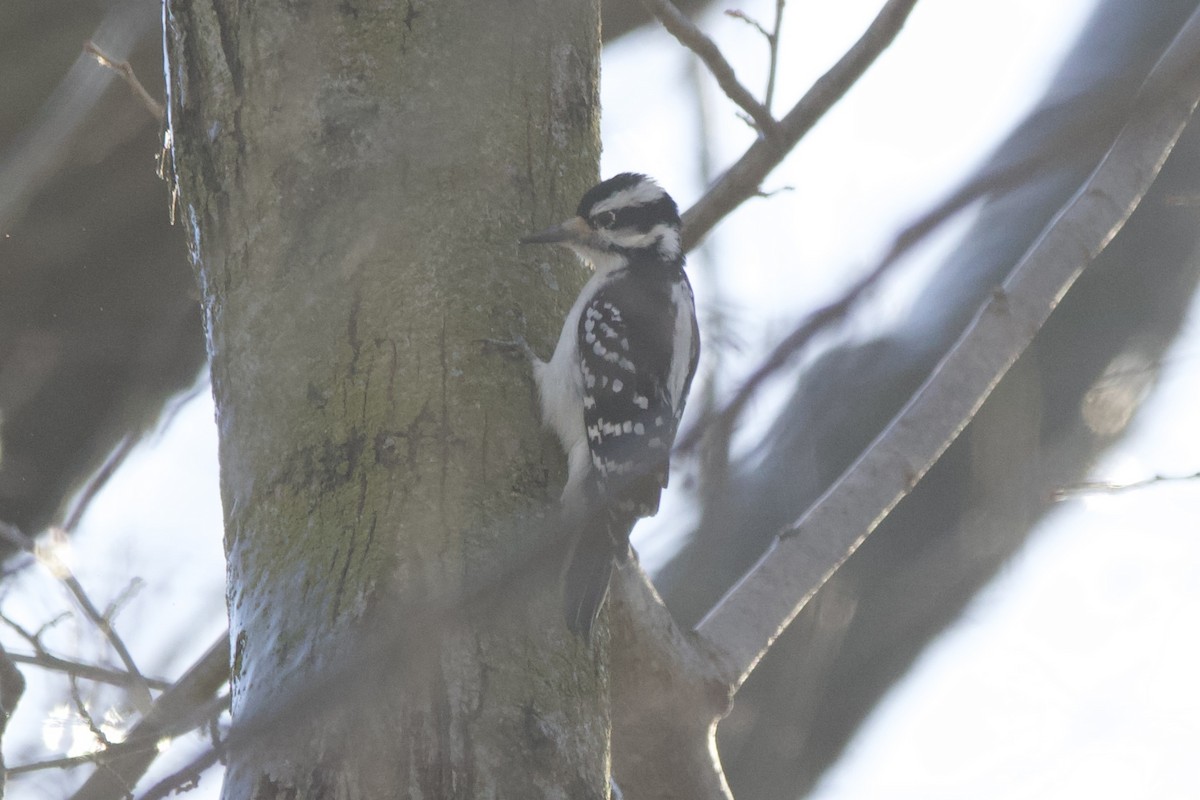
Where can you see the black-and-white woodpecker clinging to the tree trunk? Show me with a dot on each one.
(616, 387)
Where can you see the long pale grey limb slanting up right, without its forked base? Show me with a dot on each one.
(749, 618)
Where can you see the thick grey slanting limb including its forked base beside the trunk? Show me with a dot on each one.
(727, 646)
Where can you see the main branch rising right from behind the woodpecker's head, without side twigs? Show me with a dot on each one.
(742, 181)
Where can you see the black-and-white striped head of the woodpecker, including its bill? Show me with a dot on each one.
(622, 220)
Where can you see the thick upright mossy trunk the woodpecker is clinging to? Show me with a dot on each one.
(353, 178)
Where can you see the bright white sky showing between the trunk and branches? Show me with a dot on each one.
(1072, 676)
